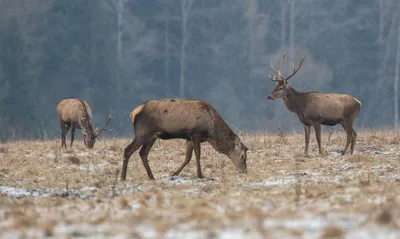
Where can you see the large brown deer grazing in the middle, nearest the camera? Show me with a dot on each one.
(193, 120)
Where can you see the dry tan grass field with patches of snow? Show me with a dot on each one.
(49, 192)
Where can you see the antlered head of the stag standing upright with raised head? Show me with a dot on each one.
(282, 84)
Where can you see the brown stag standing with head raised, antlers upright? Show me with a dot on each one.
(315, 108)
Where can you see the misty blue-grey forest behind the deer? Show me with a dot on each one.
(117, 54)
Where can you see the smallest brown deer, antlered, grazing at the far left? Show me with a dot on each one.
(75, 113)
